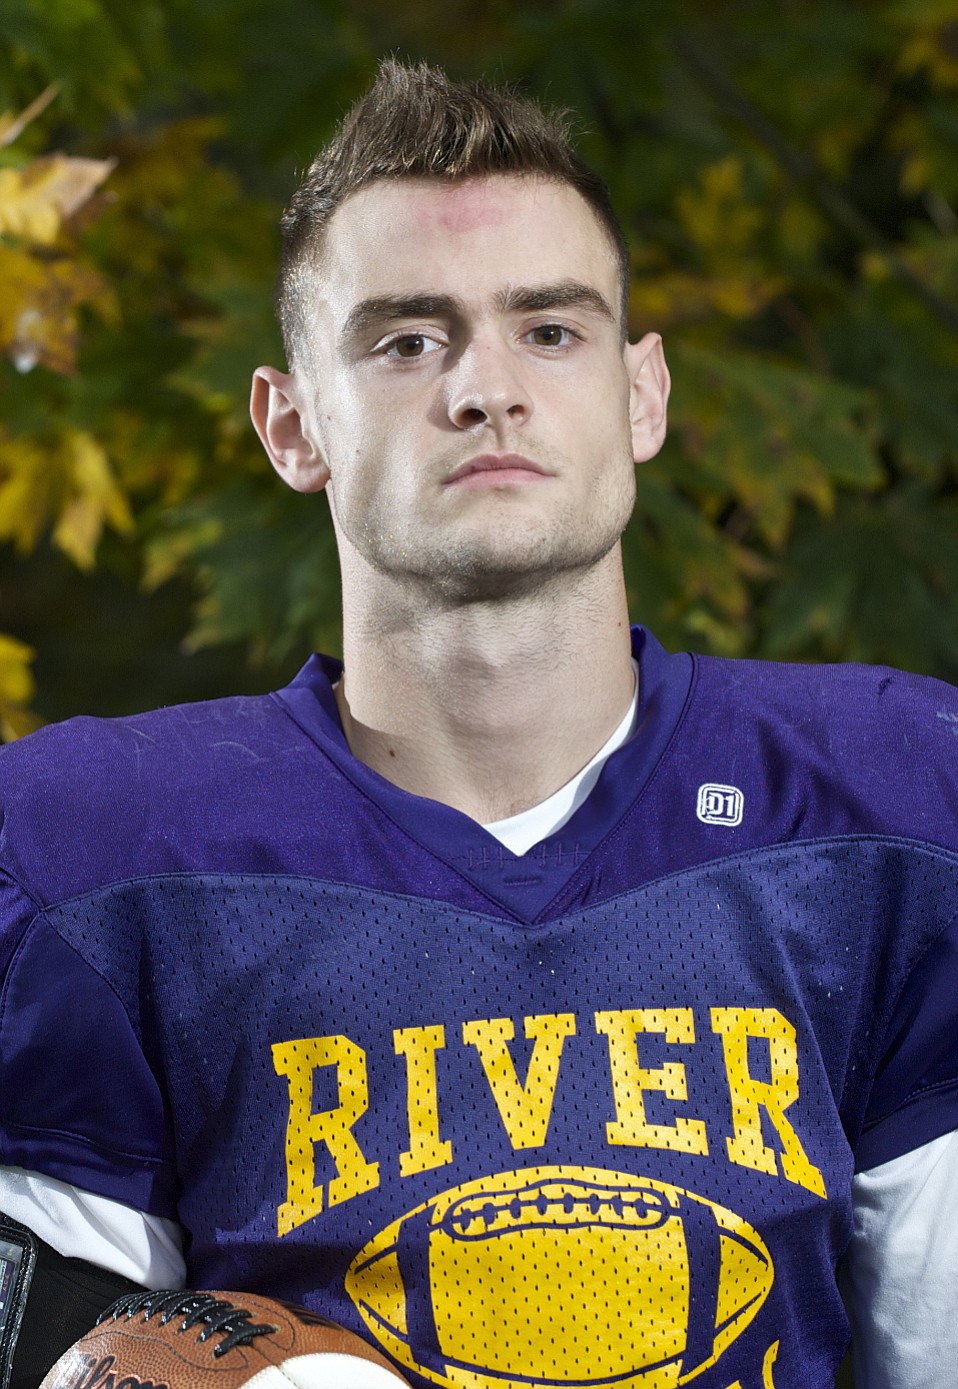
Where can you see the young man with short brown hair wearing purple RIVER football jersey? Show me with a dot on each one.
(521, 997)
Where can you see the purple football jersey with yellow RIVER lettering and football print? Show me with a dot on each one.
(585, 1116)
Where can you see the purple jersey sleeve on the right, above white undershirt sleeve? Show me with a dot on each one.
(914, 1097)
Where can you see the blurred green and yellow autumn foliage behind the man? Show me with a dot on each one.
(788, 176)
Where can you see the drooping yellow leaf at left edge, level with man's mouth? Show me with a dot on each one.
(65, 484)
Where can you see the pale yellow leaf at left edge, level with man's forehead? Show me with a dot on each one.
(38, 199)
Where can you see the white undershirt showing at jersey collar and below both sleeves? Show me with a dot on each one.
(900, 1279)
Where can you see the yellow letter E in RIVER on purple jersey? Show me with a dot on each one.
(630, 1080)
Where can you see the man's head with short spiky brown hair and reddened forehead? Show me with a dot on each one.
(460, 383)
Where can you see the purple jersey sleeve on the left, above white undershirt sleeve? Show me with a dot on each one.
(78, 1099)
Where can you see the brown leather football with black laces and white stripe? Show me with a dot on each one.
(208, 1341)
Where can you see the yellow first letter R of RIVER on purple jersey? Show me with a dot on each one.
(298, 1062)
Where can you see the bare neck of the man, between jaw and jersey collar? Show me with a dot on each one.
(488, 708)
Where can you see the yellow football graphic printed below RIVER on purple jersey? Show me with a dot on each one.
(564, 1277)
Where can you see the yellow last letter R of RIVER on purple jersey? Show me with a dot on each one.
(748, 1147)
